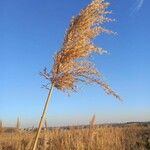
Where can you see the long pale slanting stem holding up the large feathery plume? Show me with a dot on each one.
(43, 117)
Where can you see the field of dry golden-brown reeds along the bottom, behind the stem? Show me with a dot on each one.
(106, 137)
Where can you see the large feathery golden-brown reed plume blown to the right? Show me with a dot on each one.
(72, 63)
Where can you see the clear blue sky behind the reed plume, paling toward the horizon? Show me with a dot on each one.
(32, 31)
